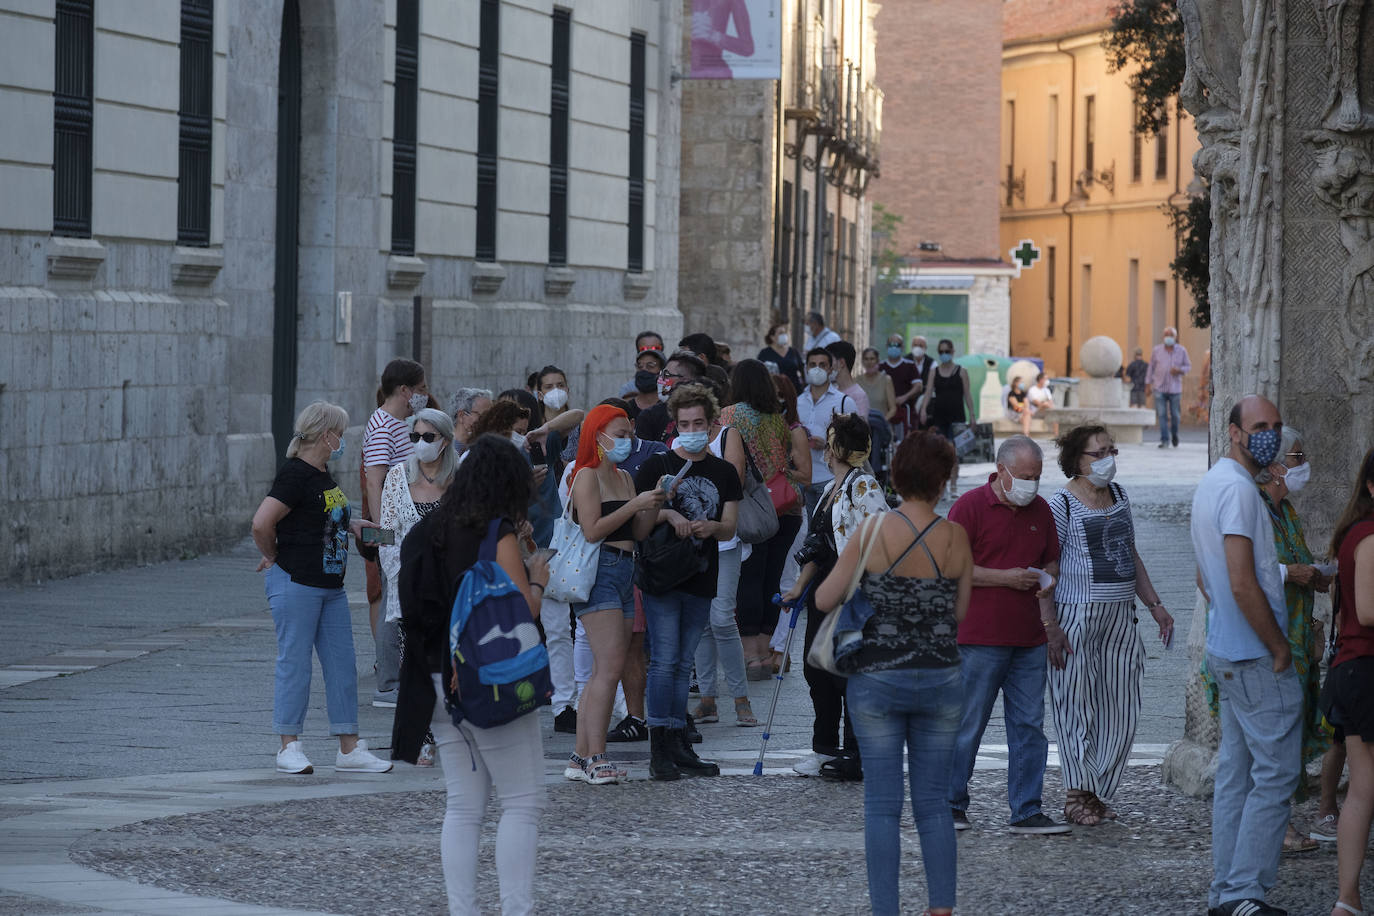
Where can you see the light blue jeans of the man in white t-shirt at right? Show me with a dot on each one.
(1258, 768)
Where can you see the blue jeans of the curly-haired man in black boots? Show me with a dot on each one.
(675, 623)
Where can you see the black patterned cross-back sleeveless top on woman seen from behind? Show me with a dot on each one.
(913, 623)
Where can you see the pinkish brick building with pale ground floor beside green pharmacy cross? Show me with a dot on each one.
(941, 71)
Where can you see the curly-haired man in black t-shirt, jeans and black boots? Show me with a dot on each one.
(703, 506)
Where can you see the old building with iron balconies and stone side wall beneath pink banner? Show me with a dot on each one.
(776, 215)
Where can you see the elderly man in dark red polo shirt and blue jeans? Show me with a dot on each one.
(1011, 632)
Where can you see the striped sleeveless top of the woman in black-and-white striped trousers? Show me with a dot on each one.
(1097, 550)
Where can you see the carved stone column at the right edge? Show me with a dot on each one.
(1288, 146)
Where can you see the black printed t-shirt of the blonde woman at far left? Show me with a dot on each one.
(313, 539)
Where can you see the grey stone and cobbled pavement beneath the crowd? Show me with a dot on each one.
(137, 746)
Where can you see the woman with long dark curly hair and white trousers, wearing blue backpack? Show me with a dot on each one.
(491, 484)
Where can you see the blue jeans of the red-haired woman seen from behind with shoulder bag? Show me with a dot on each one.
(916, 711)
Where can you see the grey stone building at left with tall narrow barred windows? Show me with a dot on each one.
(178, 274)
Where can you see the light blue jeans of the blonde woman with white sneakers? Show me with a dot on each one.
(311, 617)
